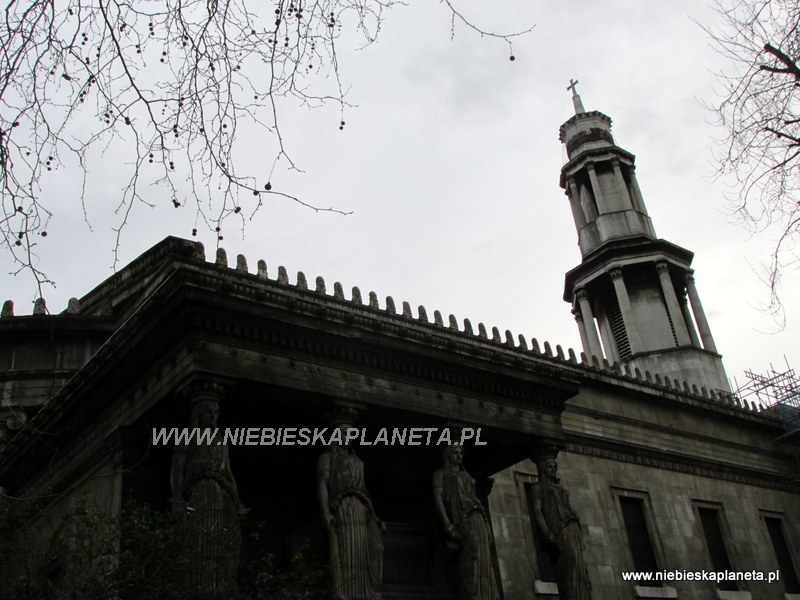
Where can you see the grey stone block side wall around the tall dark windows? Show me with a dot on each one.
(675, 457)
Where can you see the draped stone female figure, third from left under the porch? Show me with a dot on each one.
(465, 520)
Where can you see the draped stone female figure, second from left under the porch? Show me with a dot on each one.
(354, 530)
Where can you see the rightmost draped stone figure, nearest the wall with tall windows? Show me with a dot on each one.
(560, 526)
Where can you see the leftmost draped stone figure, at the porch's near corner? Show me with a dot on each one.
(202, 481)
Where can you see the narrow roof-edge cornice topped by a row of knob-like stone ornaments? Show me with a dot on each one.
(453, 337)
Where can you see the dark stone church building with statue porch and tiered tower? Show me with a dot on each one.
(671, 478)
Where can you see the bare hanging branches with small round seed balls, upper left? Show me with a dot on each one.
(174, 83)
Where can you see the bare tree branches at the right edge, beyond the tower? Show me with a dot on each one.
(759, 111)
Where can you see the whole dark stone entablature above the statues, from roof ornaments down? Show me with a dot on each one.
(233, 308)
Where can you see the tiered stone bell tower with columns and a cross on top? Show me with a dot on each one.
(633, 295)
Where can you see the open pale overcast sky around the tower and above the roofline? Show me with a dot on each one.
(450, 165)
